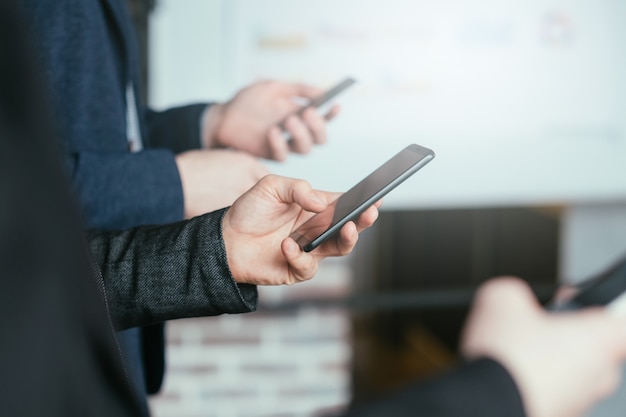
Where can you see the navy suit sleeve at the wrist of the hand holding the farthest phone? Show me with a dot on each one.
(177, 129)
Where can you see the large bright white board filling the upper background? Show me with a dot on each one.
(523, 102)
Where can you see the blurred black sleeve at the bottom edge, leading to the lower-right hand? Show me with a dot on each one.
(482, 388)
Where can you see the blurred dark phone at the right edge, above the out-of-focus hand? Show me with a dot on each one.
(607, 288)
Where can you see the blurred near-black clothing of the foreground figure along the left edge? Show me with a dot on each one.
(55, 358)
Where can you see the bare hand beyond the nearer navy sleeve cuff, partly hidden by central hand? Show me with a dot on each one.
(212, 179)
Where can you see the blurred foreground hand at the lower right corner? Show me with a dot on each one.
(563, 362)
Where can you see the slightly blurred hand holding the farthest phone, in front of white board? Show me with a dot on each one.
(250, 120)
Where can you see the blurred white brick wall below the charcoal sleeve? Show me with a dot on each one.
(267, 363)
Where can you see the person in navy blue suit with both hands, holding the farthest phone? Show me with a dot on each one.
(131, 165)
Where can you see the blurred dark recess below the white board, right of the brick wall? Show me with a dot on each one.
(442, 255)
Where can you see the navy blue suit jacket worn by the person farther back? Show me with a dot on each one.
(89, 55)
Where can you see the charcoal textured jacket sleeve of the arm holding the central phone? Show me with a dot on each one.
(157, 273)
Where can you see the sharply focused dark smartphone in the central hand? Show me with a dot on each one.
(356, 200)
